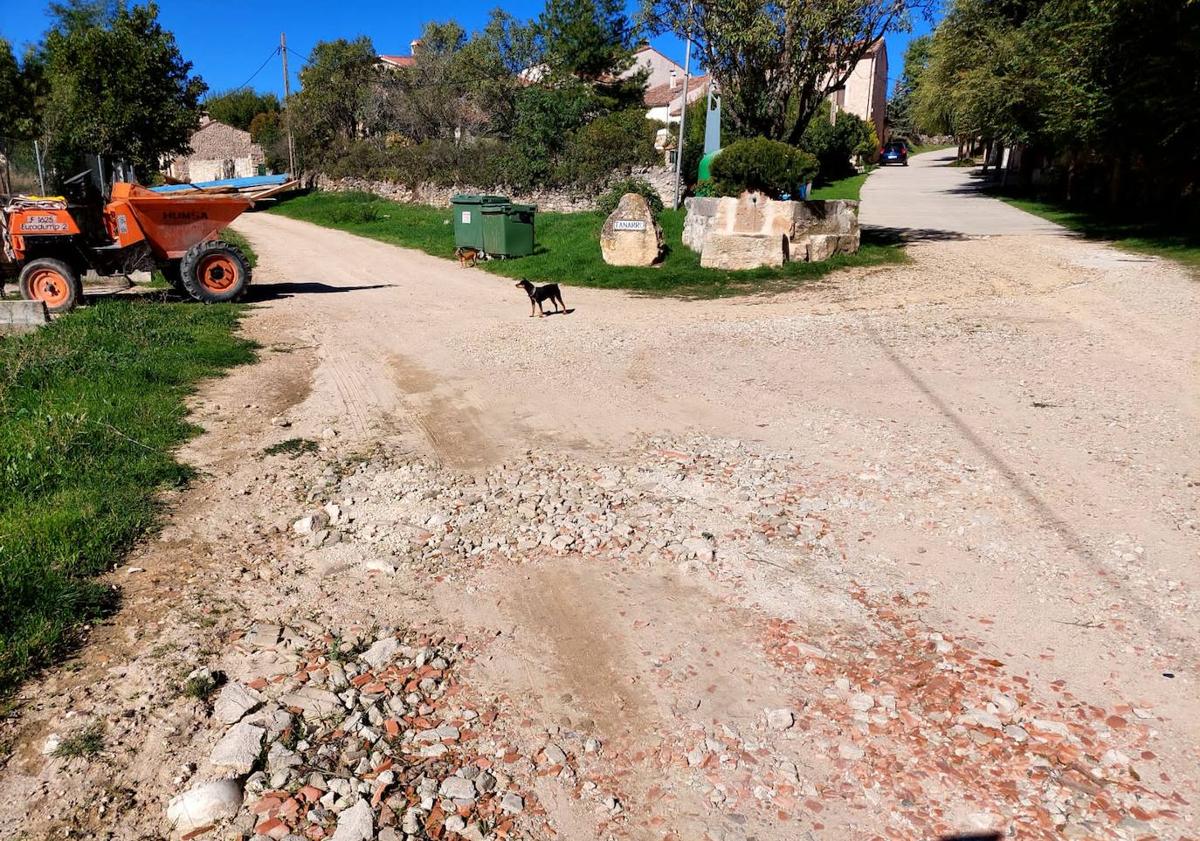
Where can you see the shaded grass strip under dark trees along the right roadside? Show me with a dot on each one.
(1144, 238)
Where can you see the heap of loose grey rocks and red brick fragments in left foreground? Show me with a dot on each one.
(351, 738)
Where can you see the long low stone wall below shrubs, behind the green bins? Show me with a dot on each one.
(559, 201)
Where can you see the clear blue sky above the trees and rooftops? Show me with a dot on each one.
(227, 55)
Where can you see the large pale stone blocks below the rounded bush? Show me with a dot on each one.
(753, 231)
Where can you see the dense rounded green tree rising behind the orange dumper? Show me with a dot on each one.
(118, 87)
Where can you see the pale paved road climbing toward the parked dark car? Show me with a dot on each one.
(929, 197)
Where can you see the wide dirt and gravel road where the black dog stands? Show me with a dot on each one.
(908, 554)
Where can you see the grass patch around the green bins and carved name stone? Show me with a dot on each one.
(569, 249)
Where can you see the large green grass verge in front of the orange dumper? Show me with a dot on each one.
(92, 409)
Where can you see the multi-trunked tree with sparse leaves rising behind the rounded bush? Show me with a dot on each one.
(777, 61)
